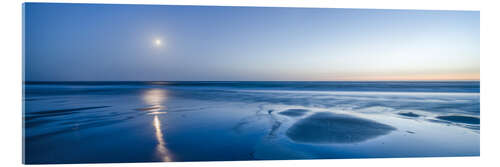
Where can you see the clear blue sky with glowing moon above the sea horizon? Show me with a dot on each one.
(96, 42)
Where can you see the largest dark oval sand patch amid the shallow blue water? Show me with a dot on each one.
(327, 127)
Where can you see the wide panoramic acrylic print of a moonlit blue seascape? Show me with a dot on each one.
(153, 83)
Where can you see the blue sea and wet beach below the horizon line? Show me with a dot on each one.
(89, 122)
